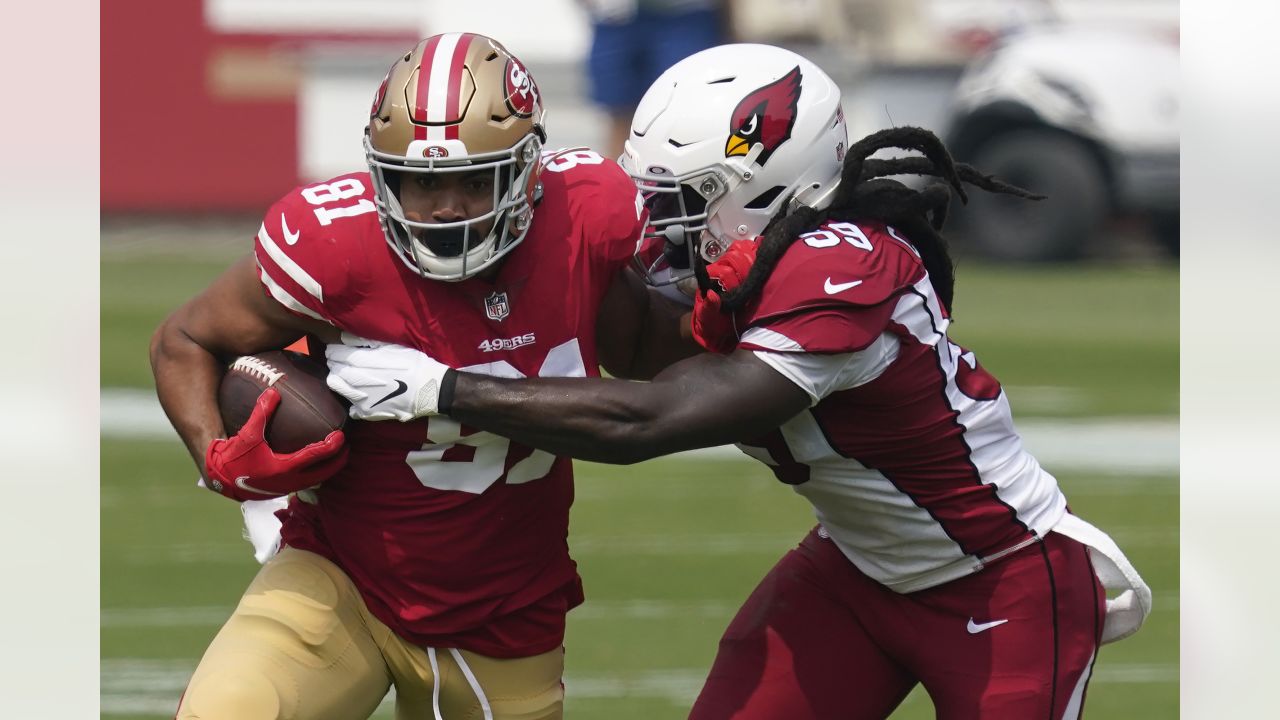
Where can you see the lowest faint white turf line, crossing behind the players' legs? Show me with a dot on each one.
(138, 687)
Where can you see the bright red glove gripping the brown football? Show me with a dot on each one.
(245, 468)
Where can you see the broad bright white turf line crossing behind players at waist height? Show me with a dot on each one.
(1146, 445)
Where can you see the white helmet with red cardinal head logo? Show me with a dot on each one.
(721, 142)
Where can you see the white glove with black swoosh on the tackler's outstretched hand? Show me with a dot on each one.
(385, 381)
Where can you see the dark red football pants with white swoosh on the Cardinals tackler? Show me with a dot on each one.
(820, 640)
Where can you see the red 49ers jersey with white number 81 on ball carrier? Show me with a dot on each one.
(455, 537)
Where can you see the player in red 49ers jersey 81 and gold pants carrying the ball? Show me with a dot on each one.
(422, 555)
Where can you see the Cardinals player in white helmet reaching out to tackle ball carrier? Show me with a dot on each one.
(944, 554)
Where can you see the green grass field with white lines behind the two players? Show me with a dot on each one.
(668, 549)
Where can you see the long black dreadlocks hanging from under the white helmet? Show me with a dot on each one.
(866, 193)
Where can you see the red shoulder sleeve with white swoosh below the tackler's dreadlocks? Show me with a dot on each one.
(835, 289)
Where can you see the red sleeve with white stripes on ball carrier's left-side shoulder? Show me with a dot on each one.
(307, 244)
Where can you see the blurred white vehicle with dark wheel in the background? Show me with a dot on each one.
(1085, 115)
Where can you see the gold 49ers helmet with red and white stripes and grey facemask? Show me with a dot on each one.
(456, 103)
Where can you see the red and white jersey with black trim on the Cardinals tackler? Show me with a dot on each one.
(909, 453)
